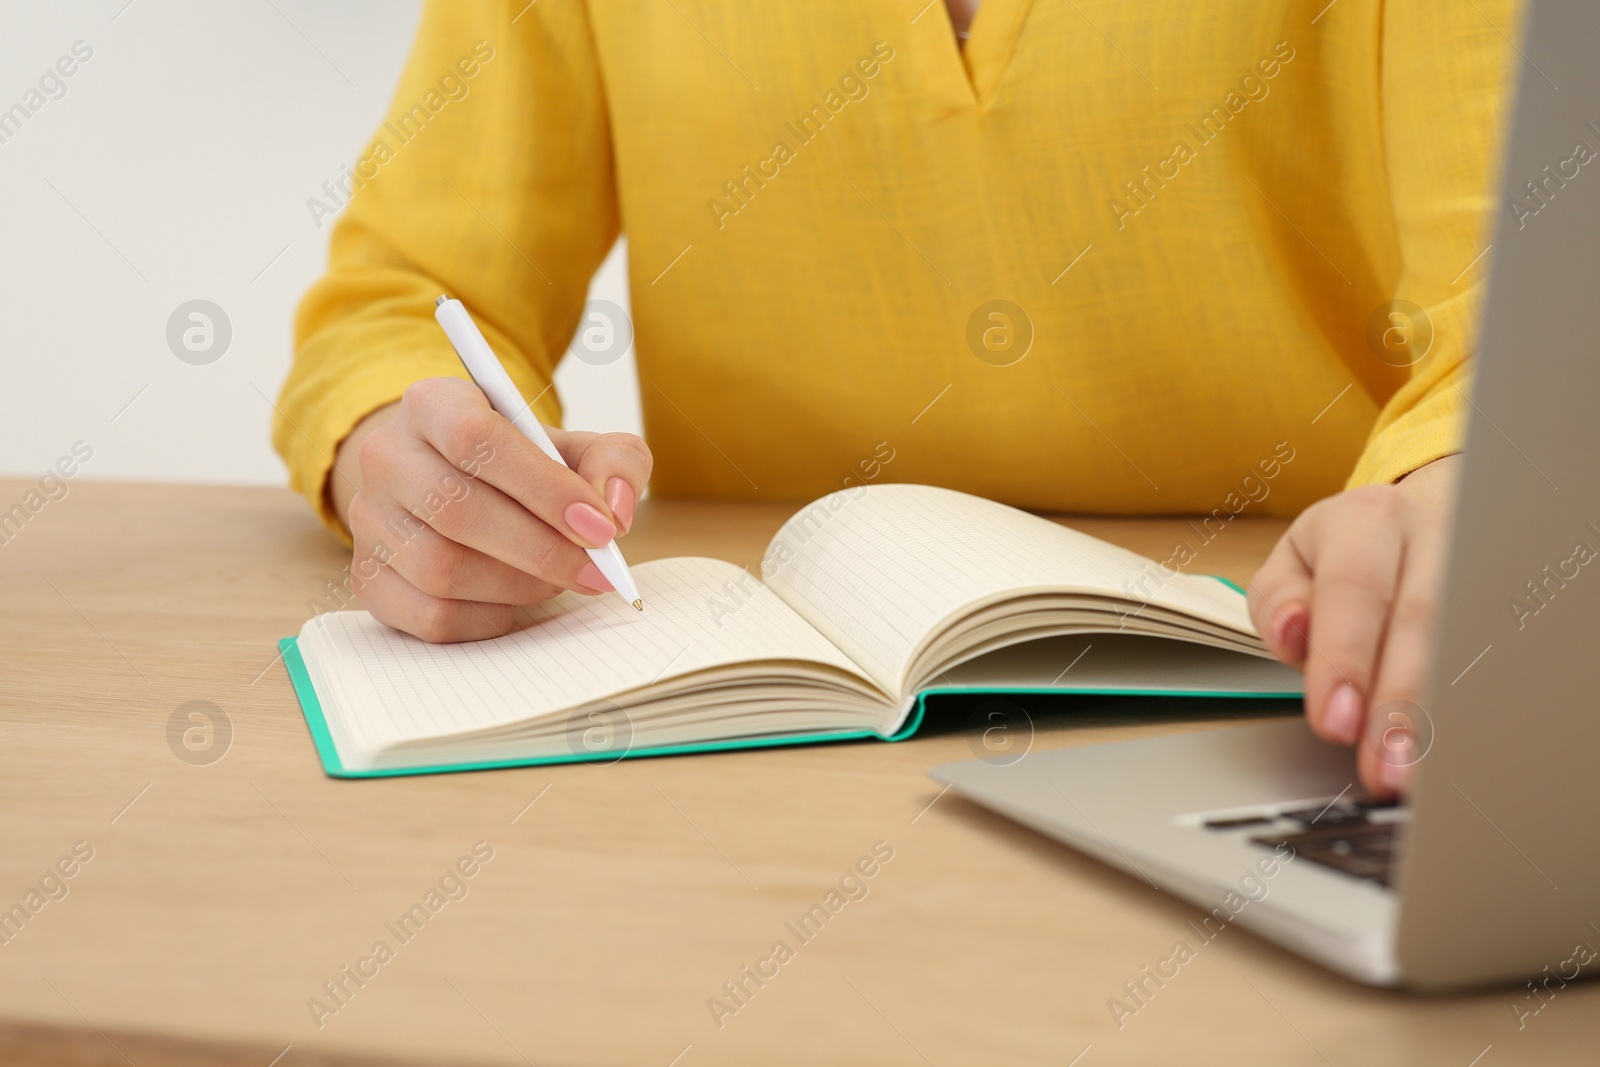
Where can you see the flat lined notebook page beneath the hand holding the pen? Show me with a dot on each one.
(580, 652)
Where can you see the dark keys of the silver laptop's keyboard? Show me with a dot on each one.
(1354, 837)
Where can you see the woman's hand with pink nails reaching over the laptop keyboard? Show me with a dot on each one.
(1351, 597)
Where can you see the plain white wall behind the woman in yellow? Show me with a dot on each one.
(177, 167)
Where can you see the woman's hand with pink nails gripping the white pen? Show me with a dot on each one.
(458, 519)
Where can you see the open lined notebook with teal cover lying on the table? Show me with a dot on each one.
(873, 599)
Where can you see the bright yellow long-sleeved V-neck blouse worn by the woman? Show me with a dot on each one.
(1111, 257)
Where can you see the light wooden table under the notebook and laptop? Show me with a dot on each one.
(618, 901)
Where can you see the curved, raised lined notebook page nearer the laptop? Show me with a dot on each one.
(878, 569)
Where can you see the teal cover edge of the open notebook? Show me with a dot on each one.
(335, 767)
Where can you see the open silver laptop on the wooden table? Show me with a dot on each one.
(1490, 869)
